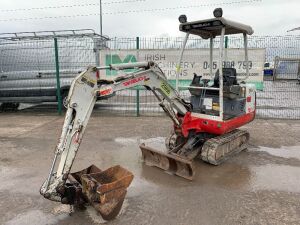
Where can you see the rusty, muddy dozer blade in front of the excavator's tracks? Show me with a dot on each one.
(169, 162)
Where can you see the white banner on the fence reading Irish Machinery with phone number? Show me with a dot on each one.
(194, 61)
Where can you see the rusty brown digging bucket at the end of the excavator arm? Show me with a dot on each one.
(104, 190)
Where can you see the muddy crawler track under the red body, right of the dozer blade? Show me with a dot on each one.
(218, 149)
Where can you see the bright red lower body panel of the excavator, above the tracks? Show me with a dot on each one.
(212, 126)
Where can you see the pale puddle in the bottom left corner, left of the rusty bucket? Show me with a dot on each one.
(35, 217)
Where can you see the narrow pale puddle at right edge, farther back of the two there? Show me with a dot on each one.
(284, 151)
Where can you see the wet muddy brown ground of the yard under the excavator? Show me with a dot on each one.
(259, 186)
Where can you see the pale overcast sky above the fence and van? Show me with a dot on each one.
(155, 18)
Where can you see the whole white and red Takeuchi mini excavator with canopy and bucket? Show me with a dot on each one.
(205, 127)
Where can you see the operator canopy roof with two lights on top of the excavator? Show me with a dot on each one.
(210, 28)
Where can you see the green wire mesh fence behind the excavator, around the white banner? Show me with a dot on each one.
(30, 64)
